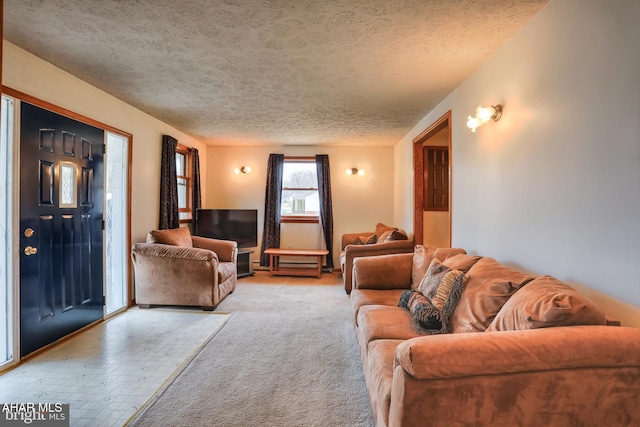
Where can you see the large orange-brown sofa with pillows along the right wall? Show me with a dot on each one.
(491, 346)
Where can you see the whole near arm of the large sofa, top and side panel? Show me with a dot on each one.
(563, 375)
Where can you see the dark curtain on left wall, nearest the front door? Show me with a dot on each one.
(168, 185)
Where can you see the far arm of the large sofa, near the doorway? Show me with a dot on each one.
(383, 272)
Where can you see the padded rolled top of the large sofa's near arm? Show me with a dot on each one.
(507, 352)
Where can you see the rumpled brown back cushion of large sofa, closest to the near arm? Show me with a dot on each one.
(545, 302)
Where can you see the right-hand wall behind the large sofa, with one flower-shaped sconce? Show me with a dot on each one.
(554, 186)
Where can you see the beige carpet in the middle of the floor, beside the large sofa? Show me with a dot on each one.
(286, 357)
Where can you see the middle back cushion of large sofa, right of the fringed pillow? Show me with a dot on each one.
(488, 288)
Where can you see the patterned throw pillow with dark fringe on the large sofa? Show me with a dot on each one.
(433, 304)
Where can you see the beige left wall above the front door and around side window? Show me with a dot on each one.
(27, 73)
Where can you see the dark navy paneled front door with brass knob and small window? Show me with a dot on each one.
(61, 204)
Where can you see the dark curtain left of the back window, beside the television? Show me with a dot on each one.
(273, 197)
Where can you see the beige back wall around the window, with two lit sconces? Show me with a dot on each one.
(359, 202)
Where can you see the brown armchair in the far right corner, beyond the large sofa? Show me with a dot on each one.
(384, 241)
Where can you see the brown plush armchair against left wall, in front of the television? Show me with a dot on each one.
(175, 268)
